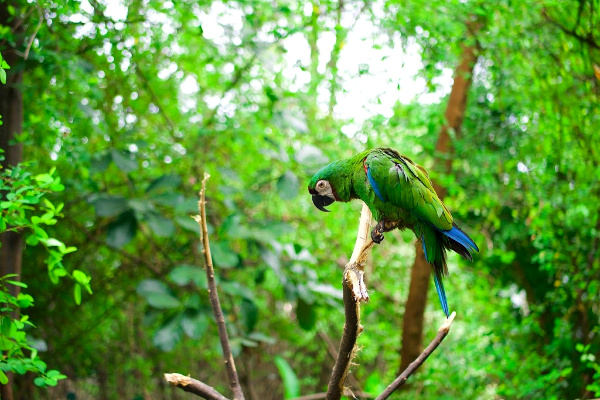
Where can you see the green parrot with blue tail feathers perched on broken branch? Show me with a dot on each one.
(400, 195)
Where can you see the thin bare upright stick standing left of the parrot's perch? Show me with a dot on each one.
(234, 381)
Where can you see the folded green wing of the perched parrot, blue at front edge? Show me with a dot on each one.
(398, 180)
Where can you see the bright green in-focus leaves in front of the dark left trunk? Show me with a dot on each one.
(26, 210)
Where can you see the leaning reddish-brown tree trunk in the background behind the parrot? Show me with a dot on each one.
(413, 322)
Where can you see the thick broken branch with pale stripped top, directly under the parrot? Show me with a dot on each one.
(355, 291)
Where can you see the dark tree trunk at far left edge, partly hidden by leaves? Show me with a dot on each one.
(11, 110)
